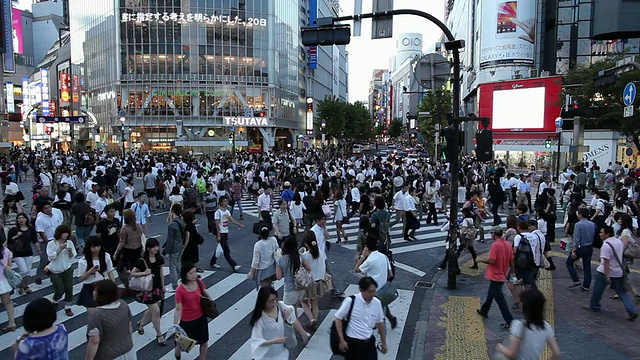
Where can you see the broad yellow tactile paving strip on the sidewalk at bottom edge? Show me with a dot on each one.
(464, 330)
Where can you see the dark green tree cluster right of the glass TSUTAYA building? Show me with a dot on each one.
(352, 120)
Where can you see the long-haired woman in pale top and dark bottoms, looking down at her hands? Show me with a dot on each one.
(95, 265)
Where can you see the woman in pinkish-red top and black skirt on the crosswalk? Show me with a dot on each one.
(188, 312)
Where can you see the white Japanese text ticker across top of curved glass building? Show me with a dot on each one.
(189, 18)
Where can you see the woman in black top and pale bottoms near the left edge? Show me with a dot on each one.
(19, 241)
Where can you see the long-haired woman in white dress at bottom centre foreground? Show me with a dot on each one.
(272, 322)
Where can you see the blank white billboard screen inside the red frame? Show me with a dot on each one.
(518, 109)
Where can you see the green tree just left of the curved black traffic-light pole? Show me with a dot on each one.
(438, 105)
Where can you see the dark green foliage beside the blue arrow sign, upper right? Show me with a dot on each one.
(602, 105)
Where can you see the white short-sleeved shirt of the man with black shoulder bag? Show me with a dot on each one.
(364, 316)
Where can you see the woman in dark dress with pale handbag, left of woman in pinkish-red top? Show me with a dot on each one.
(151, 263)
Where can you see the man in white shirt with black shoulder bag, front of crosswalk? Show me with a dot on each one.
(365, 314)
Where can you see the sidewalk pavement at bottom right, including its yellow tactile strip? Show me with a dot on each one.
(450, 328)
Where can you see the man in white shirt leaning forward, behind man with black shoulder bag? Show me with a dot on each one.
(376, 265)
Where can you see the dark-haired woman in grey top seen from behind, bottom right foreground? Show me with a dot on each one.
(529, 336)
